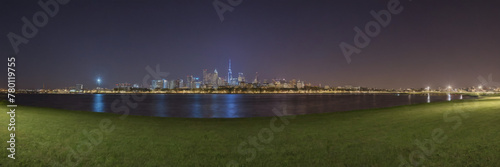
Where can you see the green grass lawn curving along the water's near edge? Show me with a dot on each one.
(457, 133)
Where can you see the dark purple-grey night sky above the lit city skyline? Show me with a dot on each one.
(430, 43)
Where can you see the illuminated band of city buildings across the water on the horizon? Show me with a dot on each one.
(229, 80)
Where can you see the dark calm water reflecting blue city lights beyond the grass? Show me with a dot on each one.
(225, 105)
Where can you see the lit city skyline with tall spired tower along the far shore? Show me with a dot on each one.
(213, 81)
